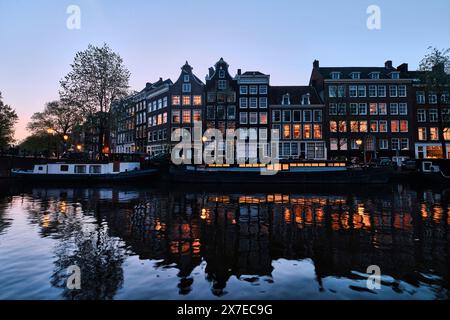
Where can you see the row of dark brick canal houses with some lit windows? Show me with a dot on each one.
(343, 113)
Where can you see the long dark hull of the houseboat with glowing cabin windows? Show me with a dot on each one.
(350, 176)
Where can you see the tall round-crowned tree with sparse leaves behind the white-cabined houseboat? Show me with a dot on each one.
(98, 77)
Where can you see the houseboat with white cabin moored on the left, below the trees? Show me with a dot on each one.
(86, 172)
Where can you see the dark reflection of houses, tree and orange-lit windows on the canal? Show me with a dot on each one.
(405, 232)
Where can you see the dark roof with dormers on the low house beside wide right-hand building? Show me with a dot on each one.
(295, 94)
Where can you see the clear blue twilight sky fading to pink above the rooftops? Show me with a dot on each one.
(155, 38)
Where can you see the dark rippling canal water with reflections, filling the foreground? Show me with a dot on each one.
(166, 242)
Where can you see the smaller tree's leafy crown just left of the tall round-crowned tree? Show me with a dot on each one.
(57, 116)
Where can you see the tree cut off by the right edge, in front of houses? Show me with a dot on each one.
(435, 77)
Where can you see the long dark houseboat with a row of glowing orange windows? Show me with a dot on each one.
(307, 172)
